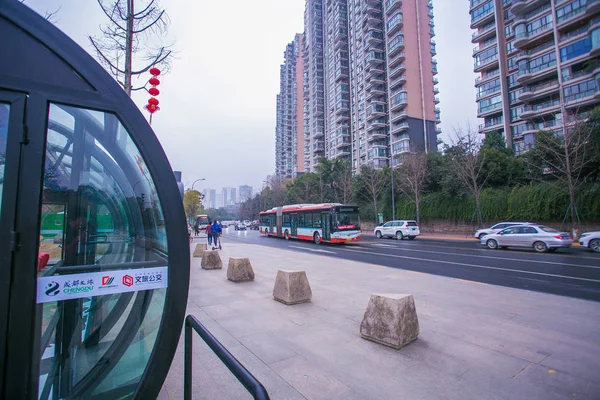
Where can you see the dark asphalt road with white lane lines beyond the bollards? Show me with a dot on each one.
(572, 272)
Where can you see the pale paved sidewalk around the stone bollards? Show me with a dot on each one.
(477, 341)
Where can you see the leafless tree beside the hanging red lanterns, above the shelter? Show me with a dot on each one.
(126, 34)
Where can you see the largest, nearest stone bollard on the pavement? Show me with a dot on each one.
(391, 320)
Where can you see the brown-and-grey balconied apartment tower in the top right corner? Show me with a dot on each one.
(538, 64)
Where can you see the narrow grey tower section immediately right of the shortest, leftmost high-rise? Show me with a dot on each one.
(313, 85)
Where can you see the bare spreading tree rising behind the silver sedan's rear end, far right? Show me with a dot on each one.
(569, 158)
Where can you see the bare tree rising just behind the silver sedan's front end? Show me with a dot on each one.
(467, 162)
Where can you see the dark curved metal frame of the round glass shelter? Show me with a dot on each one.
(22, 358)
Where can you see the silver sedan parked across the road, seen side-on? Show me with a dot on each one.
(539, 237)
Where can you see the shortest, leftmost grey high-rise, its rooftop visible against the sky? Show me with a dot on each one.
(289, 154)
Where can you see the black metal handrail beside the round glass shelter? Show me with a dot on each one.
(252, 385)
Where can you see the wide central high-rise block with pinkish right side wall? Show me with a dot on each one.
(370, 65)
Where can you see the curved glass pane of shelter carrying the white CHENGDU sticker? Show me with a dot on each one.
(100, 215)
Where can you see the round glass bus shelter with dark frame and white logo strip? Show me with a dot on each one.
(94, 256)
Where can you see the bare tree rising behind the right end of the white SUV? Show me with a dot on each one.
(410, 179)
